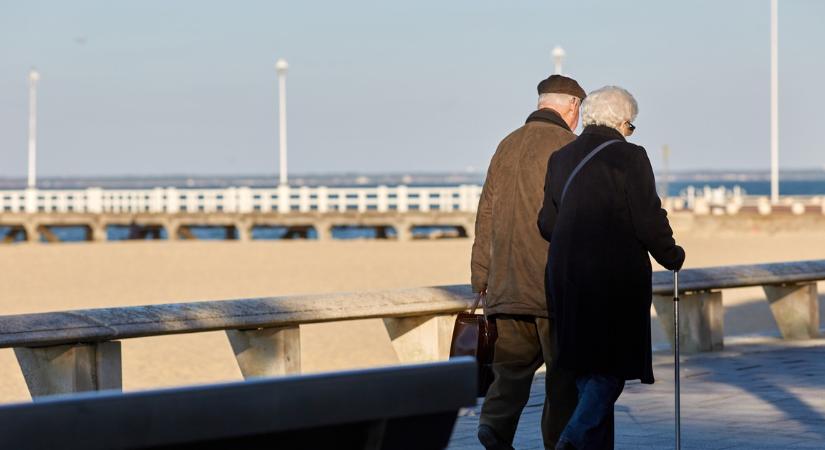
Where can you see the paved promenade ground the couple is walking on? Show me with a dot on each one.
(759, 393)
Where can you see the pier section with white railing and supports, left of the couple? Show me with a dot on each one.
(302, 211)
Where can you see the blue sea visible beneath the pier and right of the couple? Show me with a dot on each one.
(674, 188)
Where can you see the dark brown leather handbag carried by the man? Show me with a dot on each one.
(475, 335)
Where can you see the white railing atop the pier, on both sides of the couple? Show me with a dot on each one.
(286, 199)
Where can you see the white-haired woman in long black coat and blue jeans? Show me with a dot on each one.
(602, 216)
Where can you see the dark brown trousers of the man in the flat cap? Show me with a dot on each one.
(525, 343)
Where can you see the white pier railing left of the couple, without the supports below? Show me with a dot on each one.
(283, 199)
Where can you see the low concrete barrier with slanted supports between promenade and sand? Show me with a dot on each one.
(74, 351)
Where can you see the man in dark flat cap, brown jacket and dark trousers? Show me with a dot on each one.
(508, 261)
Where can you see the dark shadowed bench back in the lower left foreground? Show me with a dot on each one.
(389, 408)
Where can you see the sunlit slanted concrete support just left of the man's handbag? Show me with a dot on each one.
(422, 338)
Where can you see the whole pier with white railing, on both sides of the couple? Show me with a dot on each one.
(388, 212)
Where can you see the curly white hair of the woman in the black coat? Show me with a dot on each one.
(609, 106)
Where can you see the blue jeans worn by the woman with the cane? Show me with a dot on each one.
(591, 426)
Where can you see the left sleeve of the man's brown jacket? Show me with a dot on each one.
(482, 245)
